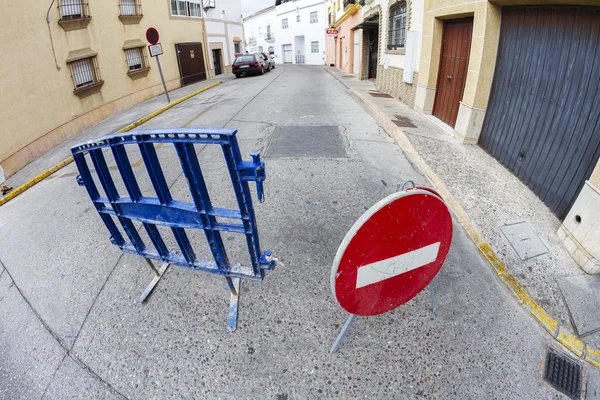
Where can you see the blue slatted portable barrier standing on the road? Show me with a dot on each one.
(160, 209)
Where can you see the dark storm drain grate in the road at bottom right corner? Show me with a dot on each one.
(563, 373)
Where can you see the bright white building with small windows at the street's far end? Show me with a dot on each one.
(293, 31)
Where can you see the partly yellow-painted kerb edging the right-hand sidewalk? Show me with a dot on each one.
(559, 333)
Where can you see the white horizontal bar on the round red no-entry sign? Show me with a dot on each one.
(398, 265)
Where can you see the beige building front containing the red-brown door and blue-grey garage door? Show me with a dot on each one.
(496, 74)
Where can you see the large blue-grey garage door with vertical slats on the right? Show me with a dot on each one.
(543, 117)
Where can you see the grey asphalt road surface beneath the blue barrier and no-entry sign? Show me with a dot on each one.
(70, 327)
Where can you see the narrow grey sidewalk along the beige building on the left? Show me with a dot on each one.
(105, 127)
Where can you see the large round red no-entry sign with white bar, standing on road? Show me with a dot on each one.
(392, 252)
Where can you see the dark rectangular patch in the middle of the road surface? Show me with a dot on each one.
(306, 141)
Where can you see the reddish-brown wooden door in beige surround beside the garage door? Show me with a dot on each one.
(452, 76)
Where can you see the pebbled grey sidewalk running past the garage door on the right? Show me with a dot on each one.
(491, 196)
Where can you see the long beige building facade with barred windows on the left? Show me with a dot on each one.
(89, 60)
